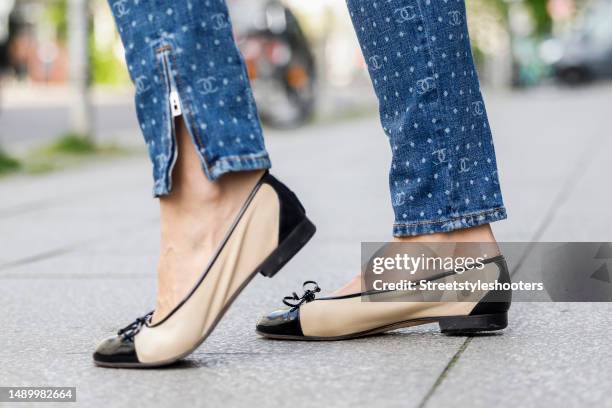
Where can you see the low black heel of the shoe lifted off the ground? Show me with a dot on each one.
(287, 249)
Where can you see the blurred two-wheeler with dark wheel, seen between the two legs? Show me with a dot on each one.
(280, 63)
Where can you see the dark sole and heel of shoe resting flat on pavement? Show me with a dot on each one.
(450, 325)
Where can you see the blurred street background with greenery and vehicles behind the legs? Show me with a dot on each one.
(63, 76)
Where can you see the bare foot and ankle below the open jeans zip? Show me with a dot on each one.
(194, 220)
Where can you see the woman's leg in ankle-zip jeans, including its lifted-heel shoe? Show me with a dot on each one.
(223, 218)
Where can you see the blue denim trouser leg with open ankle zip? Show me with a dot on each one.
(184, 62)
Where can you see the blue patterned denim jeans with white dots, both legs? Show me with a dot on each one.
(183, 60)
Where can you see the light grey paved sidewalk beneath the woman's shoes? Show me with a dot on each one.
(78, 252)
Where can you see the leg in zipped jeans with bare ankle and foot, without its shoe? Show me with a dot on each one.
(198, 117)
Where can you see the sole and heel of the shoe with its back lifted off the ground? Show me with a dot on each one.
(285, 251)
